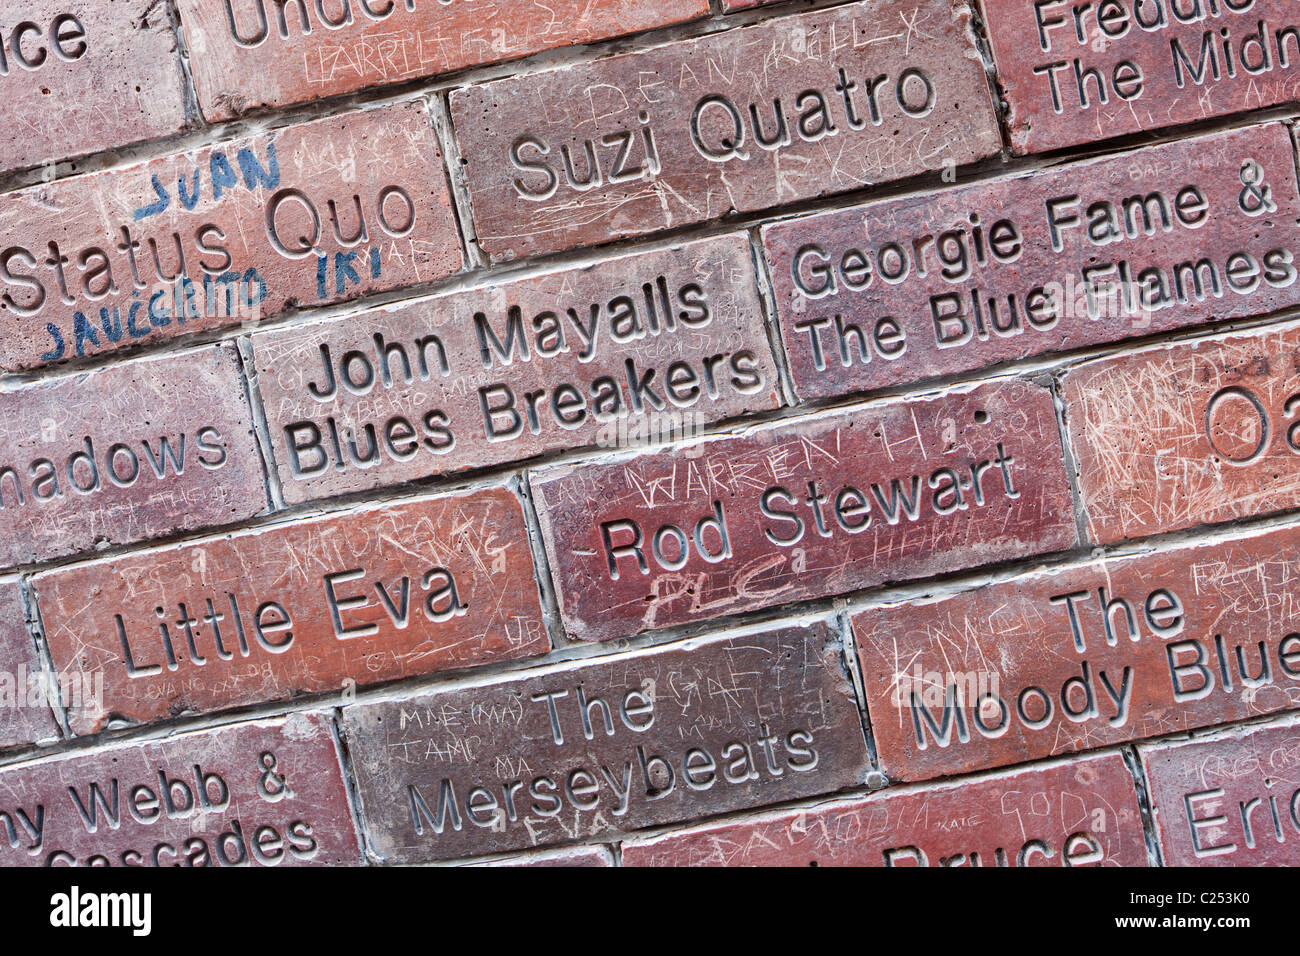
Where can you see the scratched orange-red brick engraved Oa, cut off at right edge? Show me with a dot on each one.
(1190, 434)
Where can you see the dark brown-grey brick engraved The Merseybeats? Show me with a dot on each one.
(578, 751)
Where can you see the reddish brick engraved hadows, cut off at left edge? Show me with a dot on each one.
(51, 431)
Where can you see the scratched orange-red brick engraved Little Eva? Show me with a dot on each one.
(358, 598)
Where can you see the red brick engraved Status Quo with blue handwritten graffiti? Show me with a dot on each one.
(120, 299)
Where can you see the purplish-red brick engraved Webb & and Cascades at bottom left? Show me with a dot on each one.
(265, 794)
